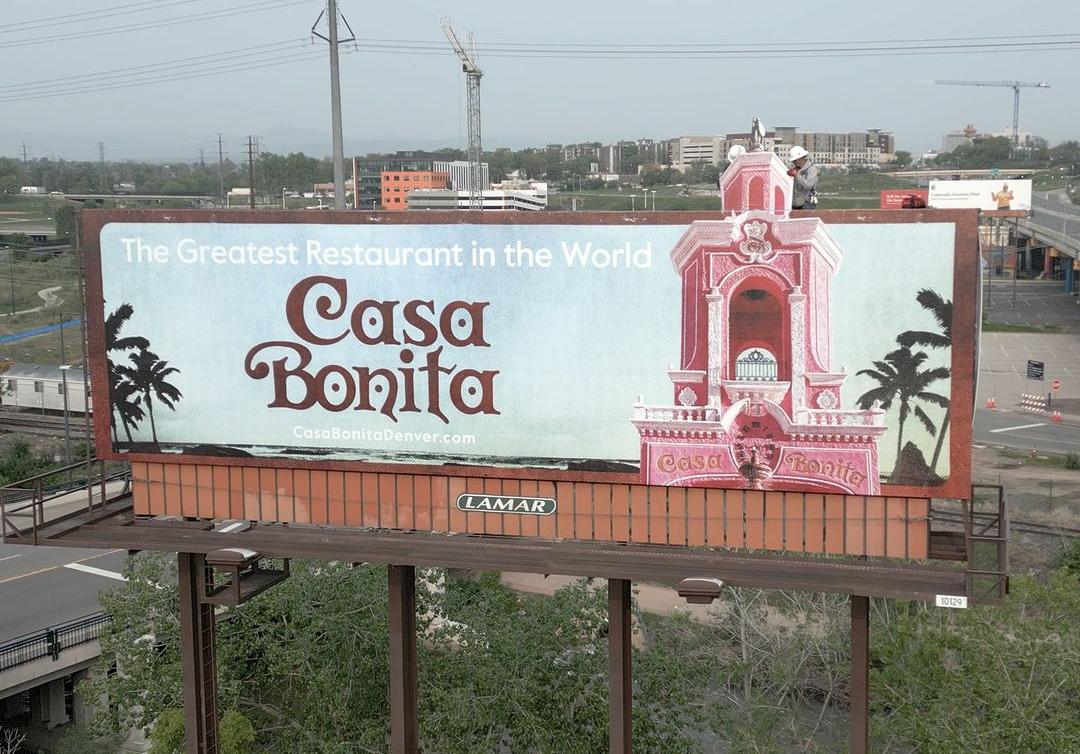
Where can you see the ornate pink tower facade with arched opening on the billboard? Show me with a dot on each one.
(757, 401)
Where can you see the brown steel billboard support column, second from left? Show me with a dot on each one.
(404, 730)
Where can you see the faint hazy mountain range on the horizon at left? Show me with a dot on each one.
(160, 146)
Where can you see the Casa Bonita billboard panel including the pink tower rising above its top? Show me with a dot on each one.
(749, 349)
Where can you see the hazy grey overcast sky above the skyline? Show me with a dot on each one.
(403, 100)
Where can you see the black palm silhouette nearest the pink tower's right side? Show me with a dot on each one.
(900, 380)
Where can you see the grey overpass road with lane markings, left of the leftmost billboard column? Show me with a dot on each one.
(42, 587)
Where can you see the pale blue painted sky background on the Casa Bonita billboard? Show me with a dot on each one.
(575, 347)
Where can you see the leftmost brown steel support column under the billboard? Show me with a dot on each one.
(198, 658)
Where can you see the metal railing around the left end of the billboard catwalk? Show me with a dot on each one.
(23, 504)
